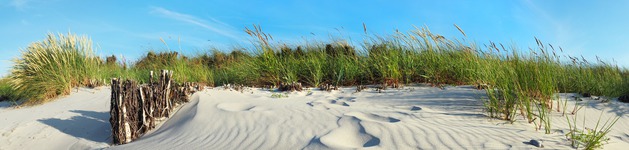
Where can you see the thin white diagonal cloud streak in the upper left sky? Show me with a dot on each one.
(212, 24)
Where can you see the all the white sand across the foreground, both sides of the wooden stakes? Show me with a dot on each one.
(411, 118)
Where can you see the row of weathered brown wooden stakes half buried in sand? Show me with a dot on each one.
(136, 109)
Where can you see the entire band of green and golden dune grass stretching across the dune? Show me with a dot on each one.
(518, 83)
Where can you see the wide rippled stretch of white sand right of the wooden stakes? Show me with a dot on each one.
(418, 119)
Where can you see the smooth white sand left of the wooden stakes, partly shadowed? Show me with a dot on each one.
(78, 121)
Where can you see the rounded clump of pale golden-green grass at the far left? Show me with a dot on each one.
(54, 66)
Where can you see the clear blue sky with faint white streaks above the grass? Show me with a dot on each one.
(131, 28)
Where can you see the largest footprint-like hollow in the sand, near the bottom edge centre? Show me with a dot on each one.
(350, 134)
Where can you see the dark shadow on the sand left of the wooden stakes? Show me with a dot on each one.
(89, 125)
